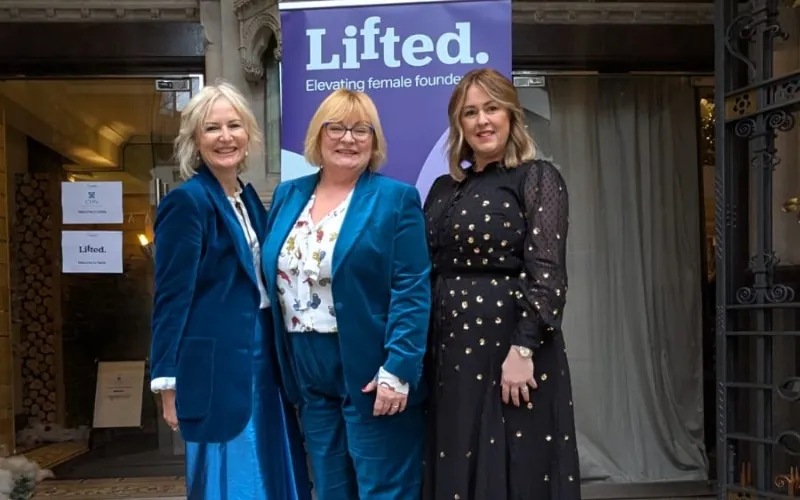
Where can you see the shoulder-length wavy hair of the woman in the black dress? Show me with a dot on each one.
(519, 147)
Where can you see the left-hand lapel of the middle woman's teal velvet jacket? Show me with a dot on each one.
(292, 206)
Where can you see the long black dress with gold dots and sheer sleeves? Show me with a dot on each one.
(498, 245)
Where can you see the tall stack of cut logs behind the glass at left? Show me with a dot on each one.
(34, 260)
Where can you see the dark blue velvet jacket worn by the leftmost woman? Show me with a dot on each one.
(205, 306)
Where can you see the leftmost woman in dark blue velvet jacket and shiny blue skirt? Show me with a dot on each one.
(212, 347)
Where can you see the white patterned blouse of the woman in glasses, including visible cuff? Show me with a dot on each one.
(305, 267)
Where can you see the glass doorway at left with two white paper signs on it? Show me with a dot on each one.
(73, 315)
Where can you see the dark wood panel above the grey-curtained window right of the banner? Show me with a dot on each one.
(614, 48)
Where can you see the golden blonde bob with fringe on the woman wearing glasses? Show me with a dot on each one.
(340, 105)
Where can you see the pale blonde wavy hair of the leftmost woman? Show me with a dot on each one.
(196, 112)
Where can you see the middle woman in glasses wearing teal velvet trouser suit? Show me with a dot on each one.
(347, 261)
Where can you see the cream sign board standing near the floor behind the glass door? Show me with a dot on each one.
(118, 395)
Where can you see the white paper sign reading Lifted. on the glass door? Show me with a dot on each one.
(91, 252)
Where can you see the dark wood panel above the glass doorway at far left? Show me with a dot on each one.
(58, 49)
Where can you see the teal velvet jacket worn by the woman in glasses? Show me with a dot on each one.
(380, 283)
